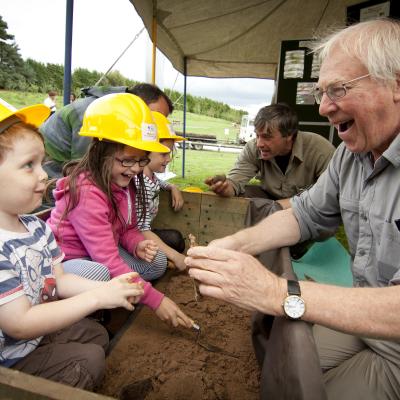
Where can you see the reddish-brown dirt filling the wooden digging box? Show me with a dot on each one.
(154, 362)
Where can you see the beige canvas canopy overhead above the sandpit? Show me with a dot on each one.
(234, 38)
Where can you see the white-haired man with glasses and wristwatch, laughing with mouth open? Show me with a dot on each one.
(357, 330)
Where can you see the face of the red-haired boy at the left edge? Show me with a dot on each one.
(22, 177)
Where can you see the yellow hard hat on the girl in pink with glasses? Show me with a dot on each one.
(123, 118)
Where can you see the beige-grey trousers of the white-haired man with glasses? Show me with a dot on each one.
(357, 368)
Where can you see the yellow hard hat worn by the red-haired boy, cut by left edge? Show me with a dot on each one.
(33, 115)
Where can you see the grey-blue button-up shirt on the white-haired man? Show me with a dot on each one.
(366, 197)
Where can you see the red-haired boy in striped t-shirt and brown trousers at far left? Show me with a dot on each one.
(40, 334)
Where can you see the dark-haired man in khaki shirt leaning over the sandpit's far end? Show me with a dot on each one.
(285, 159)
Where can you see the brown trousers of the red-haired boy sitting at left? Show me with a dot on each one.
(74, 356)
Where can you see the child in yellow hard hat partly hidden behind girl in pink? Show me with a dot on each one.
(169, 241)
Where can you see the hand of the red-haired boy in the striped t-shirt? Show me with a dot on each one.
(121, 291)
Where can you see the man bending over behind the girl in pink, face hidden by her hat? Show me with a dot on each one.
(61, 130)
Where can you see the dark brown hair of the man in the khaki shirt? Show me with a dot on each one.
(278, 116)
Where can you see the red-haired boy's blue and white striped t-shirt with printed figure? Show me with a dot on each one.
(26, 269)
